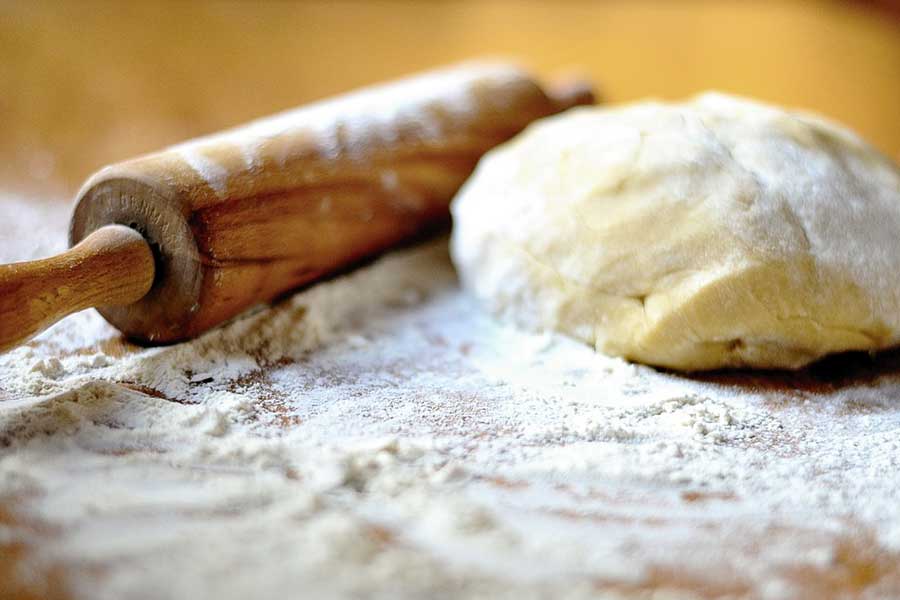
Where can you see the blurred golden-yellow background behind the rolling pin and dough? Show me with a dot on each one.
(84, 83)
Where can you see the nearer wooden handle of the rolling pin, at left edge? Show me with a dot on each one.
(113, 266)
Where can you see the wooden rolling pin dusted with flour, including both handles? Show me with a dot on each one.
(171, 244)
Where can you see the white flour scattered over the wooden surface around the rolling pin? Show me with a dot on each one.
(376, 435)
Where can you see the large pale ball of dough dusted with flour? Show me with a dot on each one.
(715, 233)
